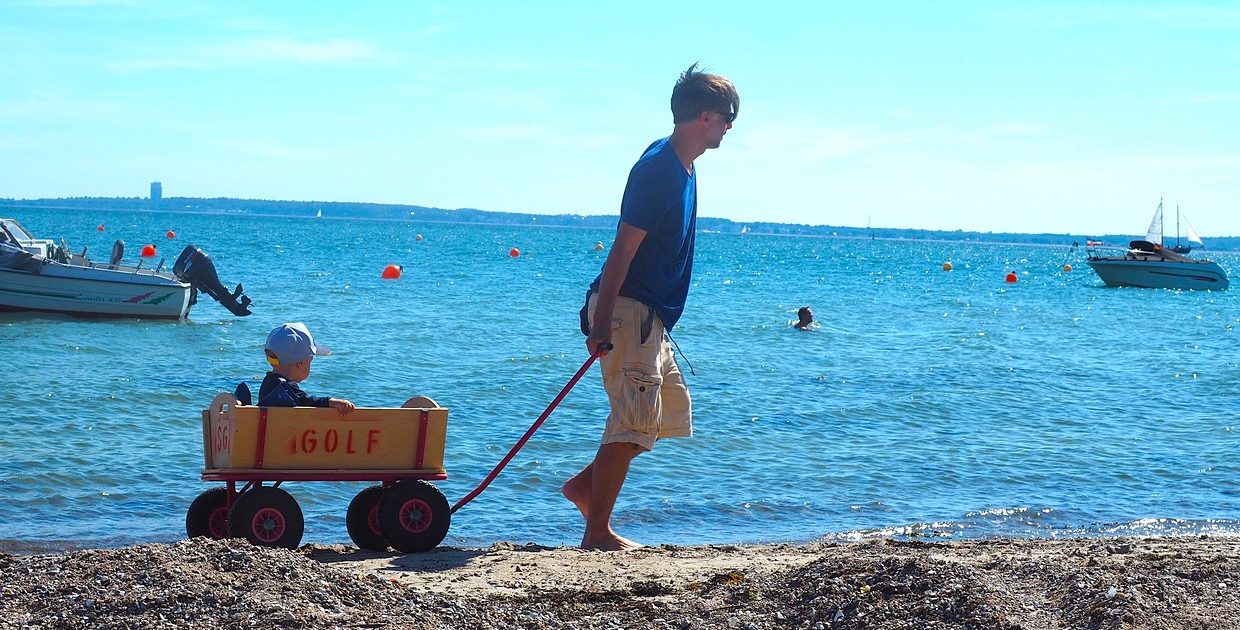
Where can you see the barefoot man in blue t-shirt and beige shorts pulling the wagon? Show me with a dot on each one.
(640, 295)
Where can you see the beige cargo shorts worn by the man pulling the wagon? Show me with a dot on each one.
(644, 385)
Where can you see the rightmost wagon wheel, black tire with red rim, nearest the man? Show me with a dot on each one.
(414, 517)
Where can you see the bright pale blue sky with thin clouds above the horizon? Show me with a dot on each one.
(995, 117)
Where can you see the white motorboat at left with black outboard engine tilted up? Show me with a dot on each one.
(38, 275)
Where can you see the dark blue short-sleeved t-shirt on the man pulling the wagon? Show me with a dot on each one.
(662, 200)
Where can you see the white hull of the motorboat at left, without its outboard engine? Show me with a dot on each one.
(95, 292)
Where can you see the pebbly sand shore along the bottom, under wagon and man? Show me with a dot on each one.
(1133, 583)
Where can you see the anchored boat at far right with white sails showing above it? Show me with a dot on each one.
(1148, 264)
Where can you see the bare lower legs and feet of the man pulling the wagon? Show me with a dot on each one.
(595, 492)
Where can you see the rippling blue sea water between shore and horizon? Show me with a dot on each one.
(923, 404)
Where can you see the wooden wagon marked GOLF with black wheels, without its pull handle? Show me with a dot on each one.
(256, 450)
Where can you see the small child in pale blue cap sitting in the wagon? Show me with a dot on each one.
(291, 349)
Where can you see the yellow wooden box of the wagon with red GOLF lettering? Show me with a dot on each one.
(321, 438)
